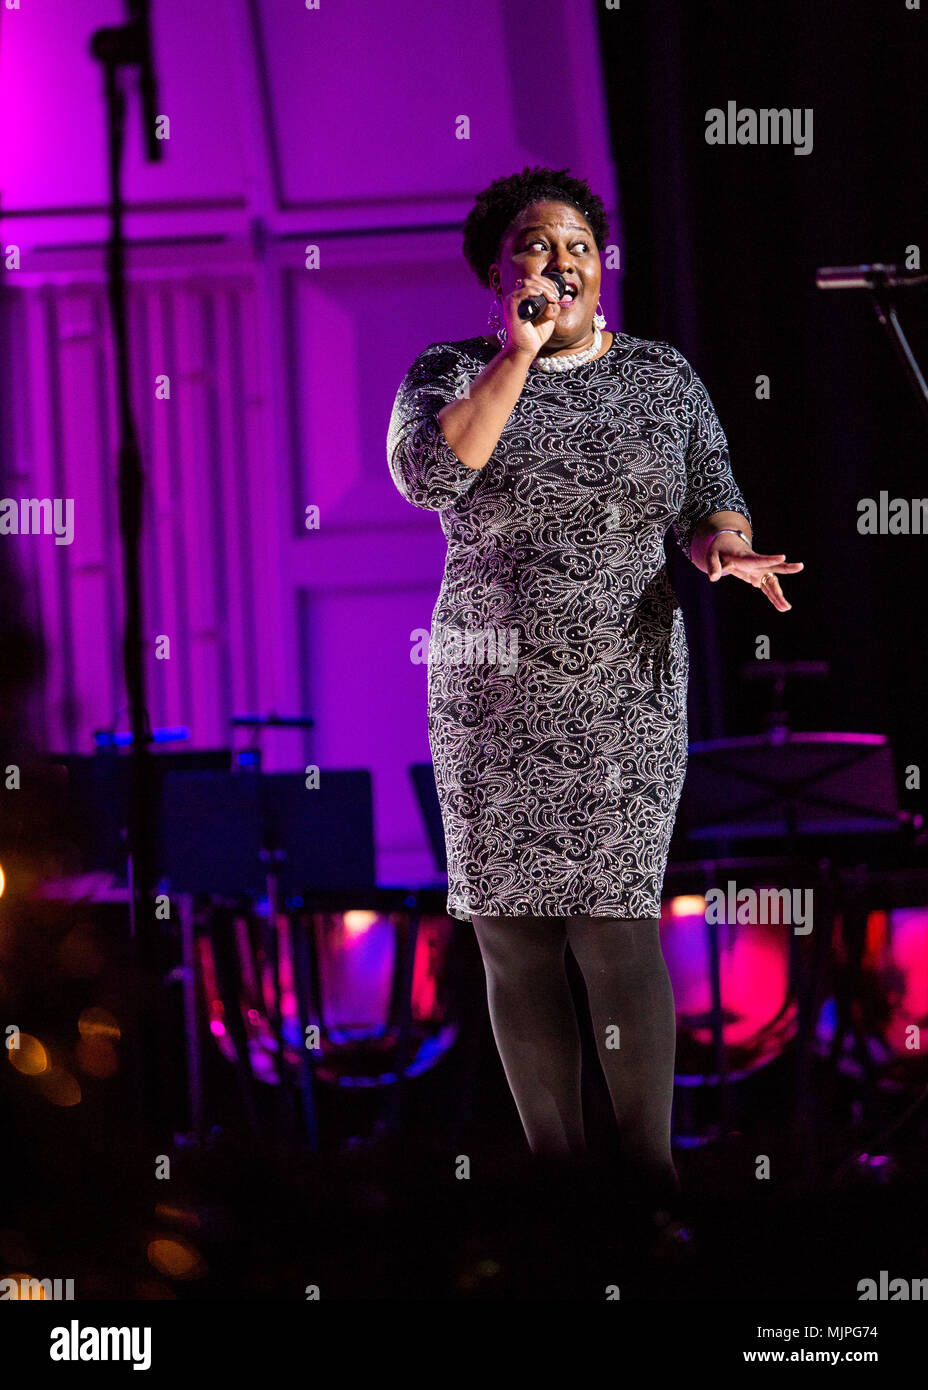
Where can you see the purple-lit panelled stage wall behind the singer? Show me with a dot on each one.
(338, 129)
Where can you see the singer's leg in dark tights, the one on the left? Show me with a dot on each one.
(536, 1028)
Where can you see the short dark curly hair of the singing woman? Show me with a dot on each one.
(499, 205)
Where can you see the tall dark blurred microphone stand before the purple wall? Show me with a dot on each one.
(117, 49)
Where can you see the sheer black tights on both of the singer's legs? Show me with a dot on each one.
(536, 1027)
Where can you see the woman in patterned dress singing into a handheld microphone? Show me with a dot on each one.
(558, 457)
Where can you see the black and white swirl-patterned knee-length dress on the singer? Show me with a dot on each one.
(558, 655)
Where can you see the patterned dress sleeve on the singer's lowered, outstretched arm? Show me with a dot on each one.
(711, 484)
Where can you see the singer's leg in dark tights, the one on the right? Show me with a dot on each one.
(631, 1003)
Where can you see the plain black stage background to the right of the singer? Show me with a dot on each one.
(723, 244)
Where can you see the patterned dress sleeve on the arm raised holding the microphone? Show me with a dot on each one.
(423, 465)
